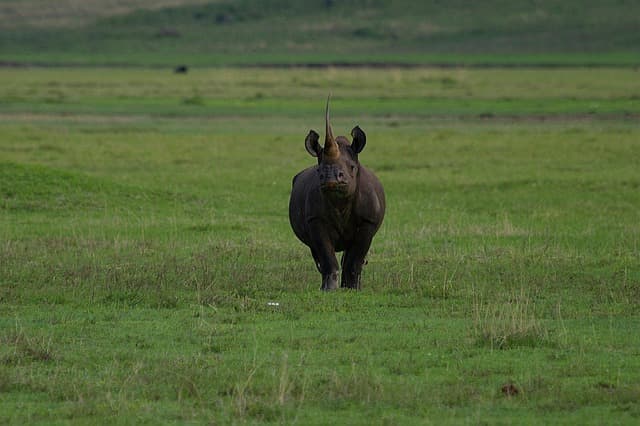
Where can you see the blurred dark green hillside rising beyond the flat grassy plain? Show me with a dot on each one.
(199, 32)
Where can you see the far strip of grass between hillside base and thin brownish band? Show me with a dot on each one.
(254, 92)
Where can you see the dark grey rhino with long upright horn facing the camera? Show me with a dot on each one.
(337, 205)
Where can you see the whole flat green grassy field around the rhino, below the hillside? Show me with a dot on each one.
(148, 273)
